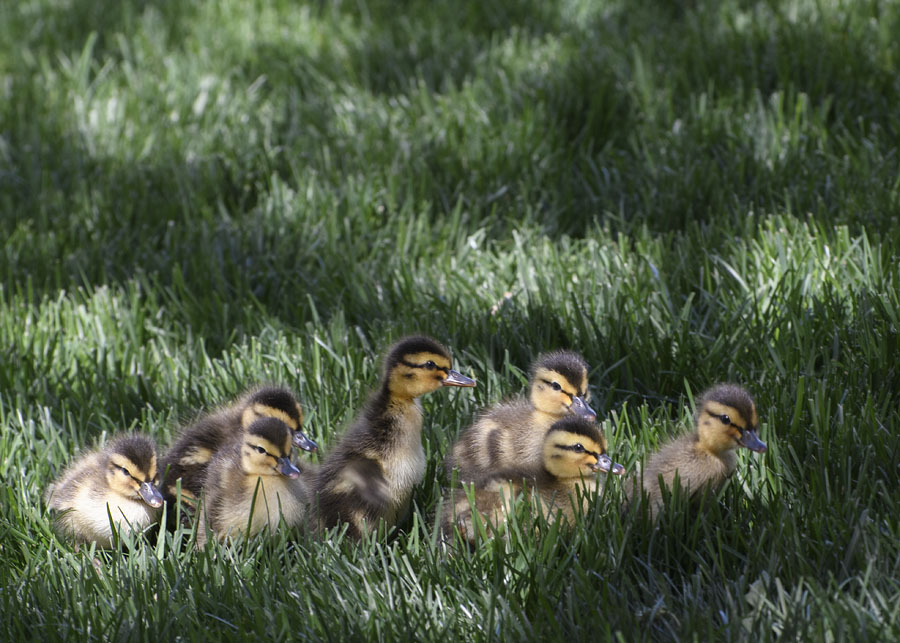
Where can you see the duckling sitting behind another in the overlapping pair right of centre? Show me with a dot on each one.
(511, 434)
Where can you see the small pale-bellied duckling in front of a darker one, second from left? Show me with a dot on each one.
(253, 472)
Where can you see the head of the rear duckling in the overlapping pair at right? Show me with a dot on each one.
(559, 384)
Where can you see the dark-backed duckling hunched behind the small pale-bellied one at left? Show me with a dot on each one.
(189, 457)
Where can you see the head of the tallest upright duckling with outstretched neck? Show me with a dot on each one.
(418, 365)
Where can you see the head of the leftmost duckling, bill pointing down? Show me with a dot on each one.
(131, 469)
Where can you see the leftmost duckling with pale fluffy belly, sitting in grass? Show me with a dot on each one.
(114, 485)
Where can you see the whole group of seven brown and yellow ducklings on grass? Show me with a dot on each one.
(234, 466)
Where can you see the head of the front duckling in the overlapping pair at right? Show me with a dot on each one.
(575, 447)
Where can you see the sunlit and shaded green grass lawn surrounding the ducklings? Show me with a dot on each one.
(195, 197)
